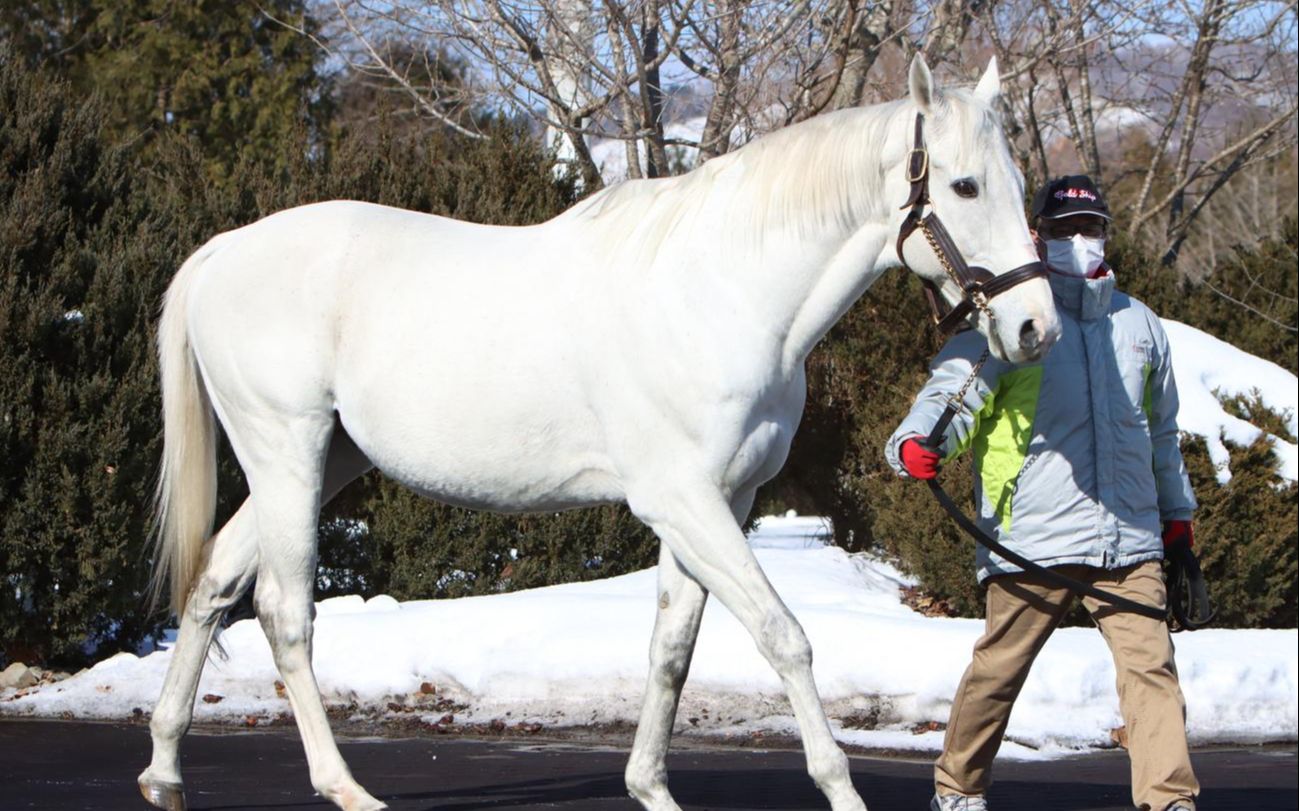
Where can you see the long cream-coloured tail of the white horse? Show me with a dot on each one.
(186, 500)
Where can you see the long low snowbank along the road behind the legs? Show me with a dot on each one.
(577, 654)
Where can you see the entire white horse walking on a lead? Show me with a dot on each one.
(646, 346)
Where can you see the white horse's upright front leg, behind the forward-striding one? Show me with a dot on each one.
(681, 609)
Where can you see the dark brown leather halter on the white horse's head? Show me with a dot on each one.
(979, 285)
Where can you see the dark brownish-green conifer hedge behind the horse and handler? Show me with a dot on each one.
(92, 231)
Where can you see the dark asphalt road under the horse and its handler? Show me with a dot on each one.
(73, 766)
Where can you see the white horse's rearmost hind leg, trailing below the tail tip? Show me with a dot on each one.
(231, 566)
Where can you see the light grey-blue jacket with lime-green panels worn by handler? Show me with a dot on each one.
(1076, 457)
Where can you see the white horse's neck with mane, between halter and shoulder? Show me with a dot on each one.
(777, 240)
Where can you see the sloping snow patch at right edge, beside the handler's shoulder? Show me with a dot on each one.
(1207, 368)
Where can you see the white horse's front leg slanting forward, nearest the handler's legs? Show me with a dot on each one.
(696, 522)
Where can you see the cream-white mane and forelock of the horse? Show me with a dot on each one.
(823, 174)
